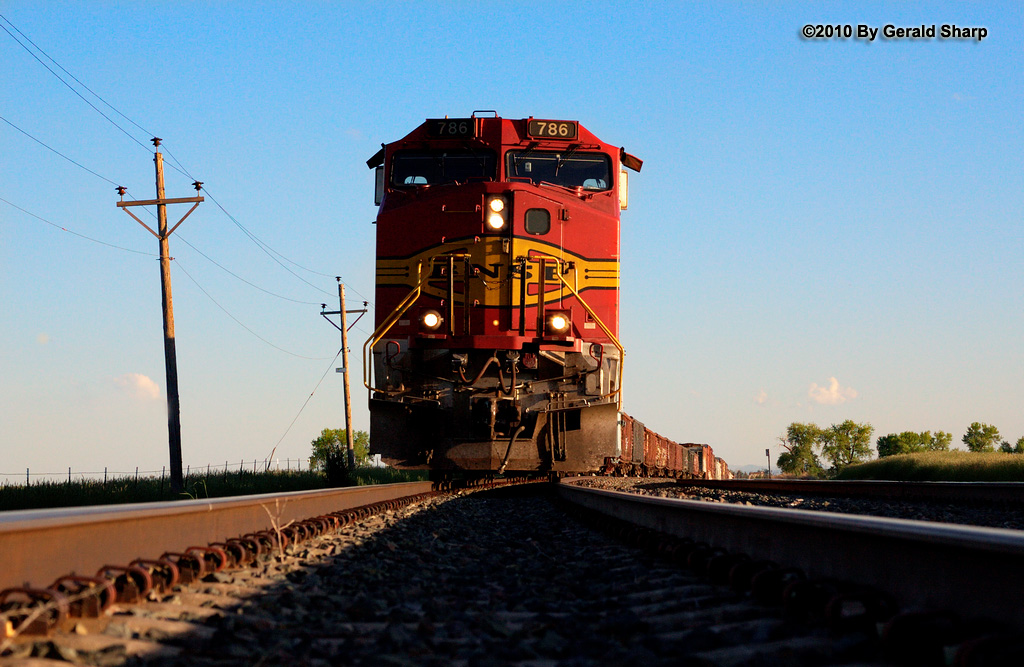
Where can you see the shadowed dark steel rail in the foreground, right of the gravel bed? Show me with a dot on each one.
(923, 565)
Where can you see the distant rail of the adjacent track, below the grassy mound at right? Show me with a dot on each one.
(989, 492)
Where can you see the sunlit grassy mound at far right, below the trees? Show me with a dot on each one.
(942, 467)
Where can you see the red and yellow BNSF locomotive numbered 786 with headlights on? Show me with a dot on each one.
(496, 344)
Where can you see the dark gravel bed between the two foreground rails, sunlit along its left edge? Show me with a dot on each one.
(491, 578)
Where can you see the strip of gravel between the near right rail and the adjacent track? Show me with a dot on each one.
(994, 517)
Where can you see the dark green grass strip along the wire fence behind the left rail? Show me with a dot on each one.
(131, 490)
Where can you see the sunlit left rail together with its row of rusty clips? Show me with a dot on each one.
(143, 552)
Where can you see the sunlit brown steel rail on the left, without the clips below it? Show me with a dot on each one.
(37, 547)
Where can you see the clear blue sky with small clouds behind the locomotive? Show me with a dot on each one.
(824, 230)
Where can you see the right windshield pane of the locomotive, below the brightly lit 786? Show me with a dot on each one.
(568, 169)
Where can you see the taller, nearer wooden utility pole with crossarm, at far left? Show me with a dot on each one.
(170, 358)
